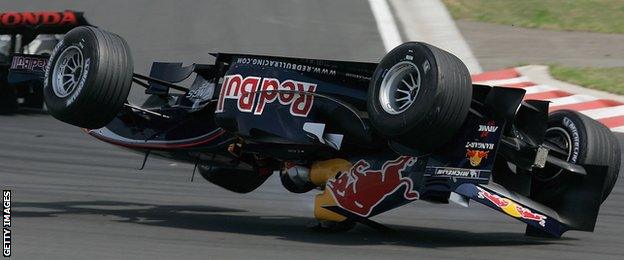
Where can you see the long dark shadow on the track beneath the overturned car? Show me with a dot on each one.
(218, 219)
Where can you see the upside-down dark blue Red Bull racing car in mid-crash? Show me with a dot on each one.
(370, 136)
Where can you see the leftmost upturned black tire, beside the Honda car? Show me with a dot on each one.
(103, 84)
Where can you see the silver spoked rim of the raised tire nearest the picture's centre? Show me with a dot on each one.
(399, 88)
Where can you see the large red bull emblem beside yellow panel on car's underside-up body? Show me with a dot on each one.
(361, 189)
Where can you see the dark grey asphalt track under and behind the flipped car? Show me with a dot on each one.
(77, 198)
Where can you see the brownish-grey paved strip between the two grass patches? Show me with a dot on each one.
(501, 46)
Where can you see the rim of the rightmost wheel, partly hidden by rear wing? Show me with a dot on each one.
(560, 145)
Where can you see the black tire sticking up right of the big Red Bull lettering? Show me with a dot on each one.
(440, 106)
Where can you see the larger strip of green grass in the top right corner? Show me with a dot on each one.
(605, 16)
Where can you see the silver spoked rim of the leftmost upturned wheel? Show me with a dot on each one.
(67, 72)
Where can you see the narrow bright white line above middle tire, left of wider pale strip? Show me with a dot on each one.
(385, 24)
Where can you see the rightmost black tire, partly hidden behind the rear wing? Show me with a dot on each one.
(581, 140)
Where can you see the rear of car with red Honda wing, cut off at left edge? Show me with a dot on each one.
(29, 33)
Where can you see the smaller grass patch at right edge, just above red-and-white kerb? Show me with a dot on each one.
(606, 79)
